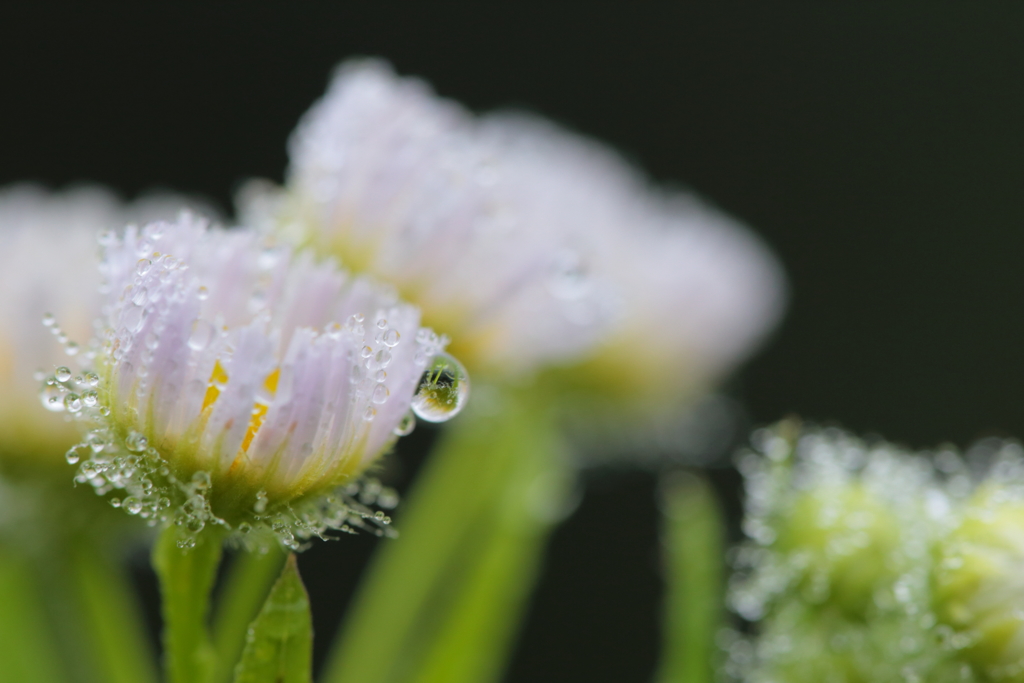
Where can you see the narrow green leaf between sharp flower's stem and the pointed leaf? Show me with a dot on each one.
(246, 588)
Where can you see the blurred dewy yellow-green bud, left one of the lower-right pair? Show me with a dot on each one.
(836, 524)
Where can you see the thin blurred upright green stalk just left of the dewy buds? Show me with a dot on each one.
(694, 539)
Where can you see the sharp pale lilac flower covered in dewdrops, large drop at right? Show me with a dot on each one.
(240, 380)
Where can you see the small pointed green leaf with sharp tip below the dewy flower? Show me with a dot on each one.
(280, 646)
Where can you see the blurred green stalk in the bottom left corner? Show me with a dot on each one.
(27, 650)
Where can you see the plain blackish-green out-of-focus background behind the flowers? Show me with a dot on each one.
(880, 152)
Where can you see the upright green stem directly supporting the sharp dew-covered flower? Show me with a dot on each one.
(187, 578)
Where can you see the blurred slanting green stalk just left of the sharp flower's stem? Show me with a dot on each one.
(111, 619)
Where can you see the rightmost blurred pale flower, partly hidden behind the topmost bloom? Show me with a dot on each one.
(693, 290)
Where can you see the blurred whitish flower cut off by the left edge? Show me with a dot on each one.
(49, 267)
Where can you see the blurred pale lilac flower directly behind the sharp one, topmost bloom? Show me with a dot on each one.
(404, 186)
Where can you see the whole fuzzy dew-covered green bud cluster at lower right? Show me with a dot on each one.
(869, 563)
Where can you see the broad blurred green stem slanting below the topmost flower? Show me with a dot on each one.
(443, 602)
